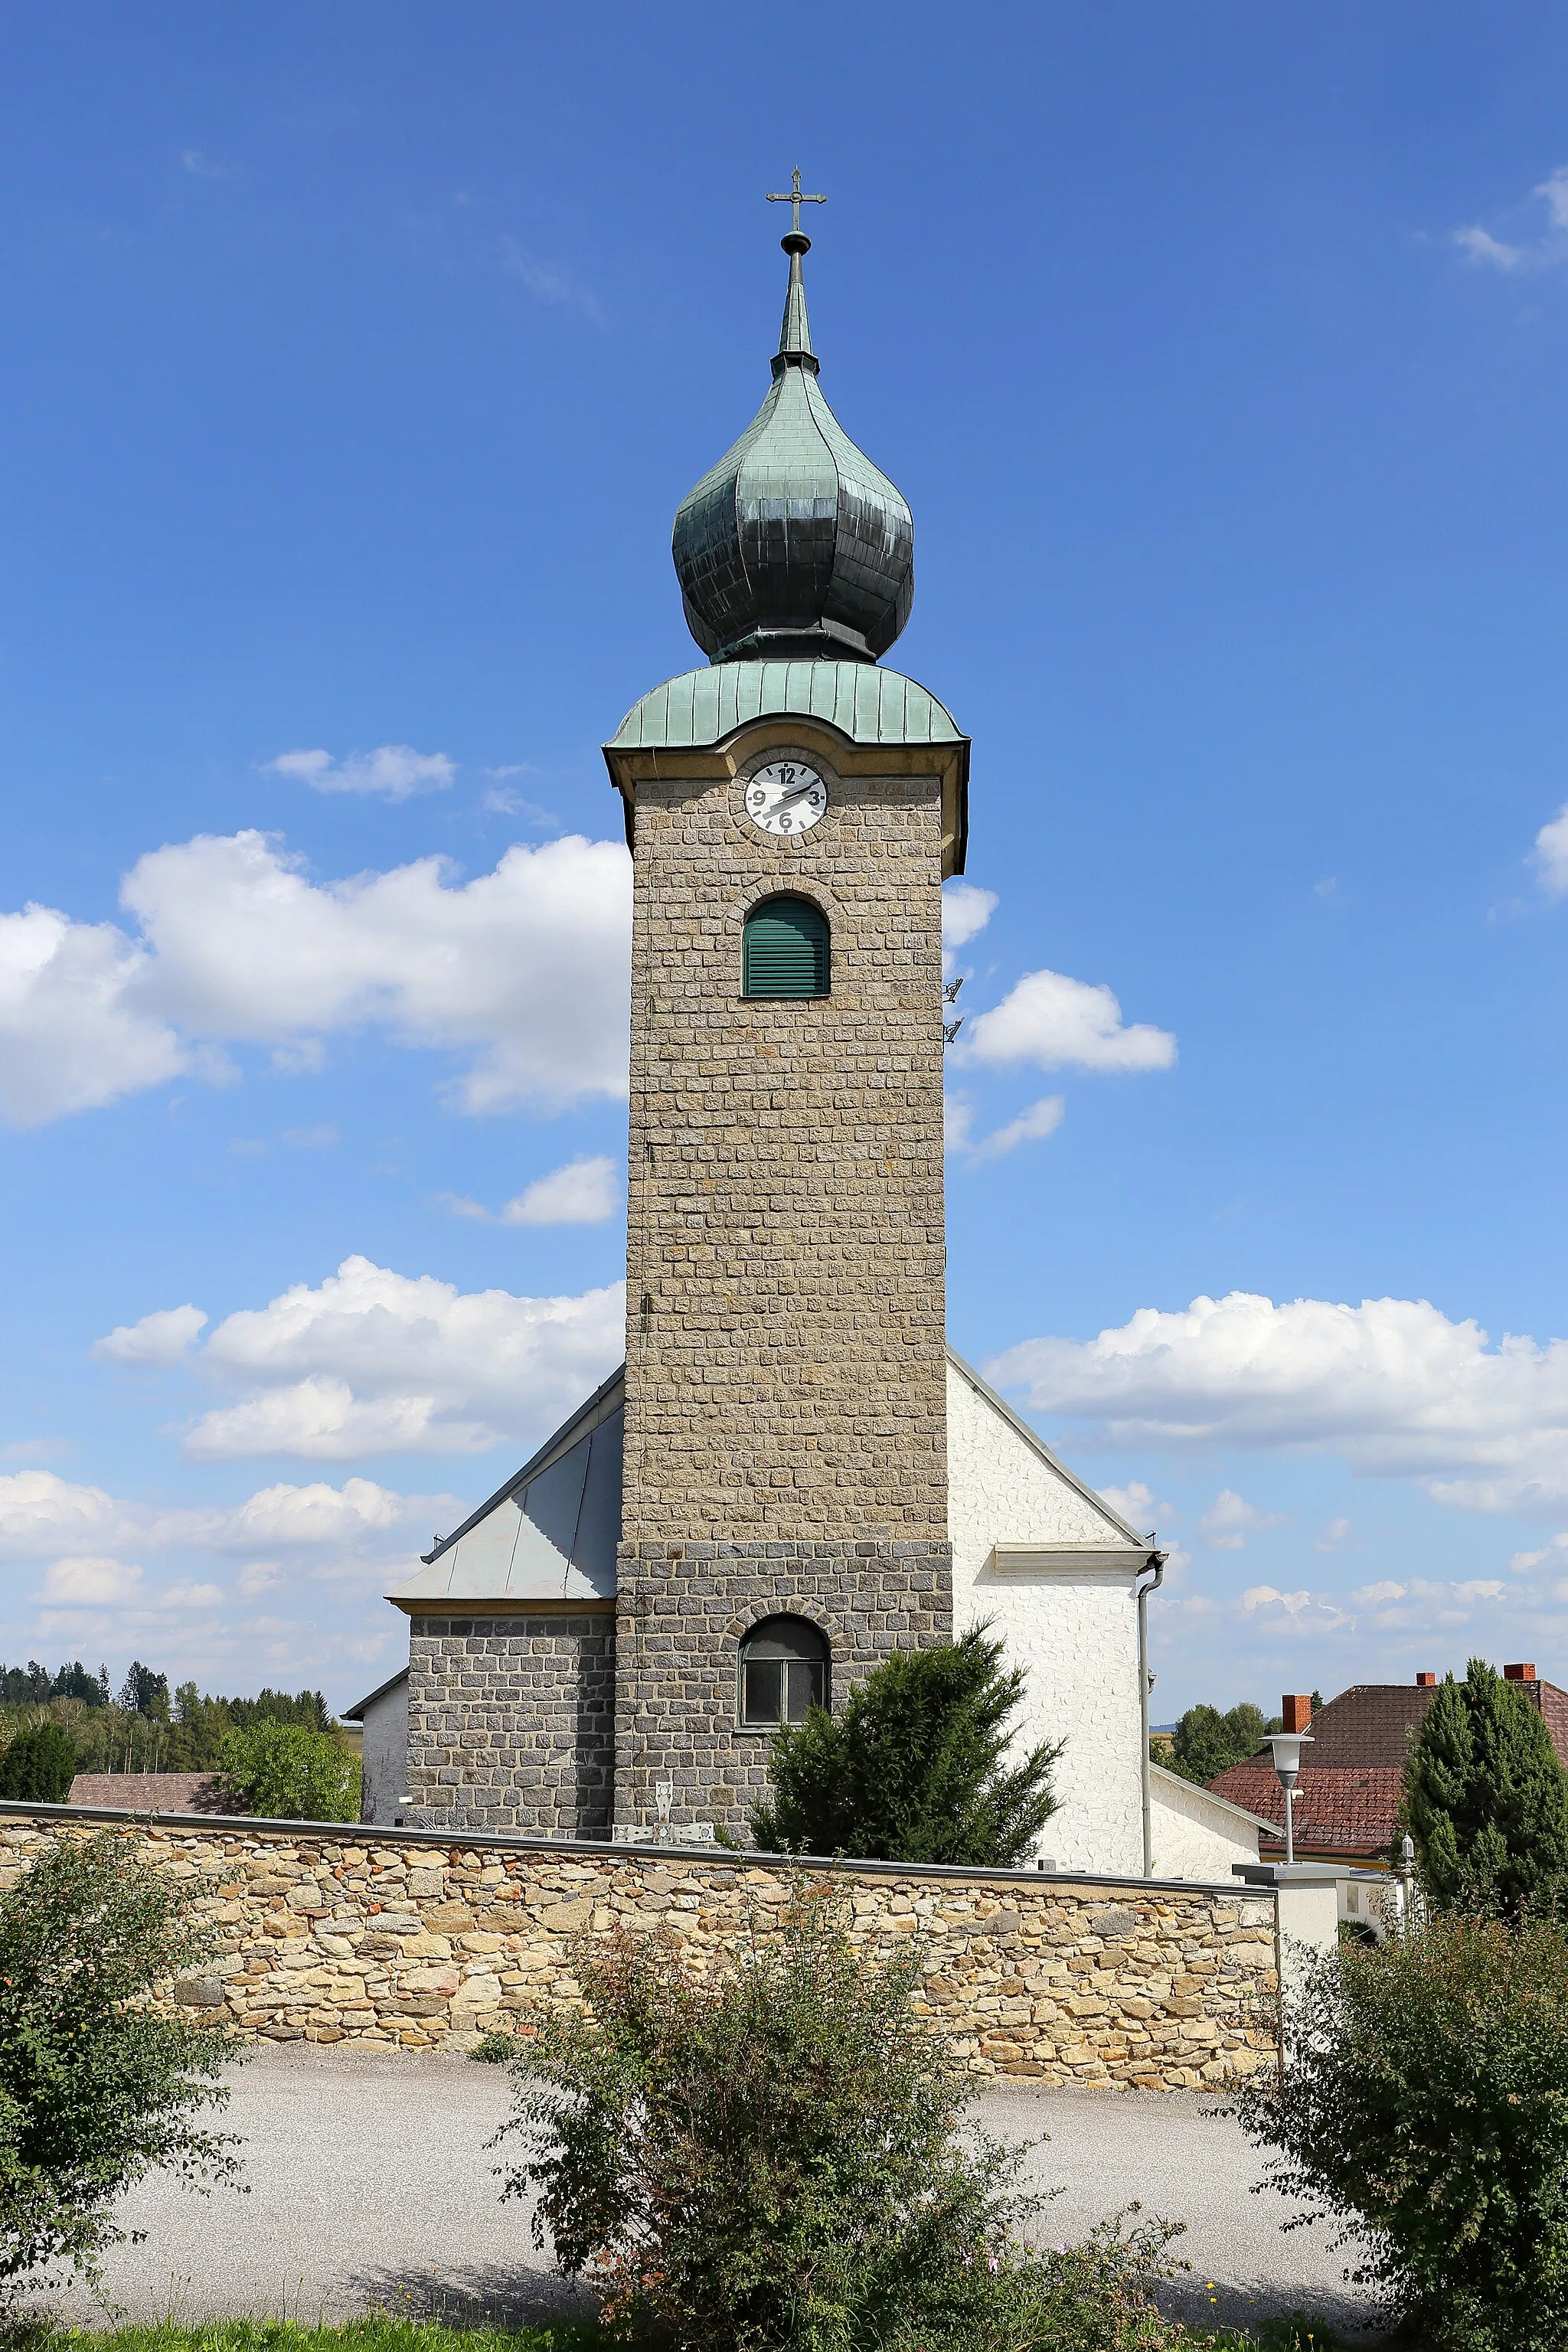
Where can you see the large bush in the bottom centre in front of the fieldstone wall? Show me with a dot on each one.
(779, 2156)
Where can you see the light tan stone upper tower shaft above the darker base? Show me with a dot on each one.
(786, 1375)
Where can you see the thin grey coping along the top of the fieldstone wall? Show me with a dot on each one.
(603, 1850)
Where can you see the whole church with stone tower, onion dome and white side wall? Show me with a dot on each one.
(793, 1474)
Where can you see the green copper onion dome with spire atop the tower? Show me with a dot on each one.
(793, 544)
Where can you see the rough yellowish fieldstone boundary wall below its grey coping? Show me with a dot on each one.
(368, 1937)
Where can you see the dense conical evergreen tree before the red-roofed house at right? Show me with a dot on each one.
(1487, 1798)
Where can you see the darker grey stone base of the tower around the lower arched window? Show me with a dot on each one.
(681, 1619)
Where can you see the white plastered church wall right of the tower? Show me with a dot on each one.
(1071, 1626)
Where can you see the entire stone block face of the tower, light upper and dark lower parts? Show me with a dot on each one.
(786, 1384)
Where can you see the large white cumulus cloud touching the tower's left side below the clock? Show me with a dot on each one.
(521, 973)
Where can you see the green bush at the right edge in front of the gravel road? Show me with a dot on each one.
(1423, 2106)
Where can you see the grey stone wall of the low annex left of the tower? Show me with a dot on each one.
(514, 1723)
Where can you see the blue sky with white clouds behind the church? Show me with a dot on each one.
(356, 366)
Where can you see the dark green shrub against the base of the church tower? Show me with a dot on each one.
(913, 1768)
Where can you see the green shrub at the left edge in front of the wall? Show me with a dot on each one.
(95, 2087)
